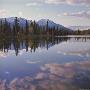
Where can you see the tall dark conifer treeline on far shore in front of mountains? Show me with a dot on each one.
(29, 29)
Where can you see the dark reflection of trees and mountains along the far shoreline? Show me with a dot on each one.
(32, 43)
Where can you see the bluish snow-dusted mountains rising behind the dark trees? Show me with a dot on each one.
(42, 22)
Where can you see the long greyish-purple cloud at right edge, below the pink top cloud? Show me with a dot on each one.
(85, 14)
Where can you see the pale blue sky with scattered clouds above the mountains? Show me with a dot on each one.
(65, 12)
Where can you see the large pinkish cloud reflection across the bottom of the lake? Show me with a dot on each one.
(69, 76)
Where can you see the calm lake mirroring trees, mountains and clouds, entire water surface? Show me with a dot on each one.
(35, 63)
